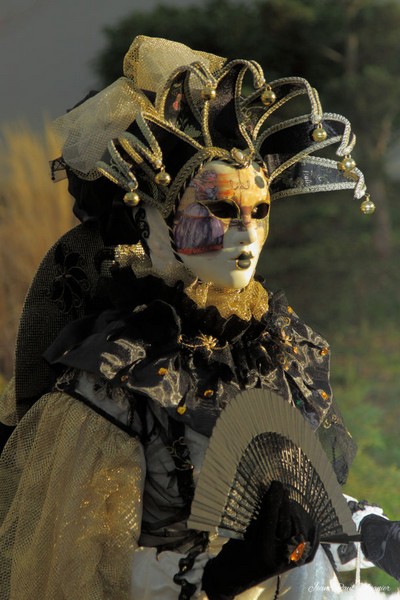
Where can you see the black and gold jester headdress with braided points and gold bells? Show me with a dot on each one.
(176, 109)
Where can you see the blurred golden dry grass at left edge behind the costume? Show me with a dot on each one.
(34, 212)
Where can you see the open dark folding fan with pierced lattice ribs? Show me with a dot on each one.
(259, 438)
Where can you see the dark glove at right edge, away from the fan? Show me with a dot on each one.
(381, 543)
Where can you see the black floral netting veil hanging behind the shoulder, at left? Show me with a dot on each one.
(62, 290)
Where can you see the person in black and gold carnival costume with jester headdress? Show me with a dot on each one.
(143, 322)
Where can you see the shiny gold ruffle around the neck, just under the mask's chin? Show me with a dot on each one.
(250, 302)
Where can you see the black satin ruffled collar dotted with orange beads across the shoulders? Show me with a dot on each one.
(191, 361)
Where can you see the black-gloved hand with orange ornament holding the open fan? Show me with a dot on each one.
(280, 538)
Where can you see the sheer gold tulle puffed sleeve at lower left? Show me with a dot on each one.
(71, 488)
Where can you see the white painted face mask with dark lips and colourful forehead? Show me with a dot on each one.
(222, 223)
